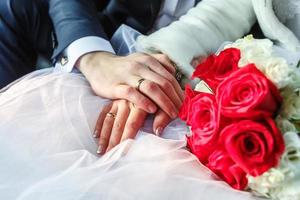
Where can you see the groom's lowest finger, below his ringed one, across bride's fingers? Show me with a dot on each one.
(131, 94)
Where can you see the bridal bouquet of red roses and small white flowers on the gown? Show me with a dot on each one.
(244, 126)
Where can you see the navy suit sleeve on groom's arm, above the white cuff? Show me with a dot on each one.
(73, 19)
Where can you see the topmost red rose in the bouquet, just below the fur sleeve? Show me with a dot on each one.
(217, 67)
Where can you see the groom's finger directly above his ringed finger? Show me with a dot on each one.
(165, 85)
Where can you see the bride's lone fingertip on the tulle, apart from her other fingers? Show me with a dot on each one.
(161, 120)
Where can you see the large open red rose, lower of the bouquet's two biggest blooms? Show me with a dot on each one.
(254, 146)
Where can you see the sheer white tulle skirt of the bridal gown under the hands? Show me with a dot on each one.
(47, 150)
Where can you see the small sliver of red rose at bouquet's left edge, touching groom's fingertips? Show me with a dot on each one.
(184, 109)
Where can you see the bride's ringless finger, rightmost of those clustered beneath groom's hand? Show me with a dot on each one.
(134, 122)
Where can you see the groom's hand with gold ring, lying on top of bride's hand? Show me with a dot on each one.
(146, 80)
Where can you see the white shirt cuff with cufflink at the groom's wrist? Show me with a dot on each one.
(79, 47)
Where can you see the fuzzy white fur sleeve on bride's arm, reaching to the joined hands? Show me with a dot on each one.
(201, 31)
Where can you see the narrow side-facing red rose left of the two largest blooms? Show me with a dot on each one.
(204, 121)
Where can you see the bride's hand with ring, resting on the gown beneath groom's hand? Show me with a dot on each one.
(121, 120)
